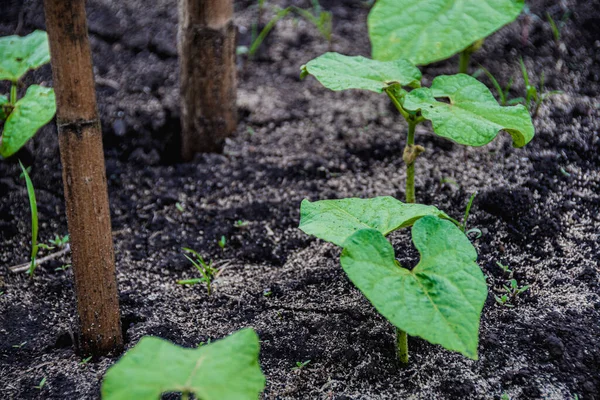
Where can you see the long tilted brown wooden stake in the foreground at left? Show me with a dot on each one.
(84, 177)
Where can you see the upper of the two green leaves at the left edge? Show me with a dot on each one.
(22, 53)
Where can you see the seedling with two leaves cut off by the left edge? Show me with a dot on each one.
(23, 117)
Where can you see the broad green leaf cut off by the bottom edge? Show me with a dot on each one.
(224, 370)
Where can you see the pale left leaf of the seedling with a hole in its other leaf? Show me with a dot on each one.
(339, 72)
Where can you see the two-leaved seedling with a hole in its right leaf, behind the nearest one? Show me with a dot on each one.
(459, 107)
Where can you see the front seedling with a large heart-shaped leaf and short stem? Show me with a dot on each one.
(439, 300)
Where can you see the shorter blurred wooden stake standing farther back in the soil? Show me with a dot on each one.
(208, 77)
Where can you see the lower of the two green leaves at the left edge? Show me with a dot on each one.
(31, 112)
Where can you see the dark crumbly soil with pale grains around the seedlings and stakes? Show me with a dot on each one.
(537, 210)
